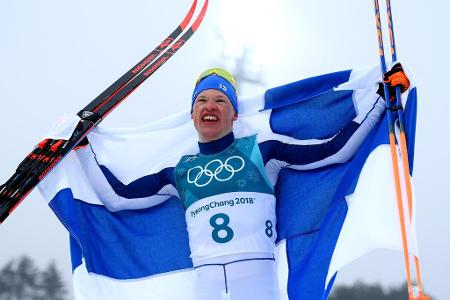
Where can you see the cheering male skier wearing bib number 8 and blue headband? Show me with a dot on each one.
(227, 189)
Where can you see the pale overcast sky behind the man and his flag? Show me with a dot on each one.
(56, 56)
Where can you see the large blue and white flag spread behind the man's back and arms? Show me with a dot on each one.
(326, 210)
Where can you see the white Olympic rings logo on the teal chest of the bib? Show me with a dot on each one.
(215, 169)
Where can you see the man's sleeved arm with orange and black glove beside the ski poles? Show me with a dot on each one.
(285, 151)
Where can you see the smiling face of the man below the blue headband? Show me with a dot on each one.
(213, 115)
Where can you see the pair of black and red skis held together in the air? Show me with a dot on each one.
(44, 157)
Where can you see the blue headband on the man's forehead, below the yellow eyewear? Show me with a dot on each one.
(218, 83)
